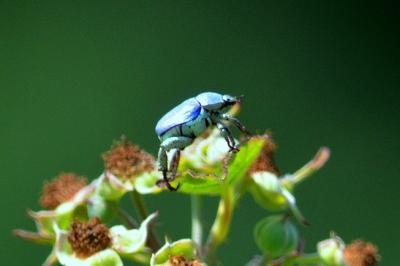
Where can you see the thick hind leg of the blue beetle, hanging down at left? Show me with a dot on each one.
(167, 145)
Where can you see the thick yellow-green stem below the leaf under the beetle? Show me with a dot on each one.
(220, 228)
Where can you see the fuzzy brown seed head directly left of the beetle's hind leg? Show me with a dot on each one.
(126, 160)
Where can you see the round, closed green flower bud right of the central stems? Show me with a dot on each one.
(276, 236)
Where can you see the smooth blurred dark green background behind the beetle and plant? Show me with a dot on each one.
(74, 75)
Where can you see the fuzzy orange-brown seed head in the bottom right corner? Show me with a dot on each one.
(360, 253)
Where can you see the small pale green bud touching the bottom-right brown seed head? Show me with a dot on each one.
(331, 251)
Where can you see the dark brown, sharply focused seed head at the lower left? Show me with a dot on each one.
(88, 238)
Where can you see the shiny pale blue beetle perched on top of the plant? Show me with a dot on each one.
(180, 126)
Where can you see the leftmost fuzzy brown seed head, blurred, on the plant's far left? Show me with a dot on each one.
(61, 189)
